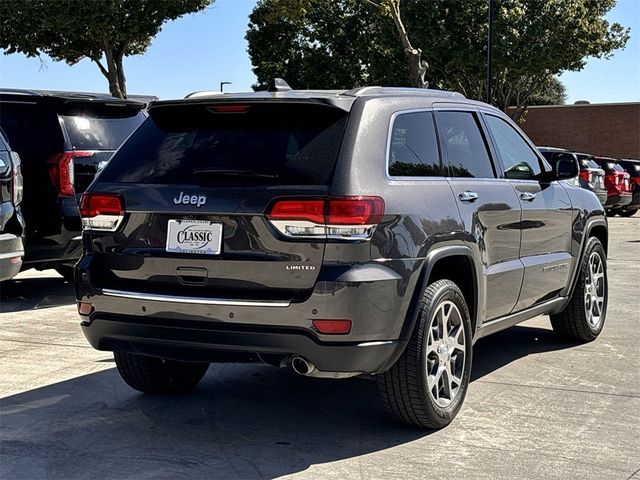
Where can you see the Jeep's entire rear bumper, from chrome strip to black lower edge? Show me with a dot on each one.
(197, 328)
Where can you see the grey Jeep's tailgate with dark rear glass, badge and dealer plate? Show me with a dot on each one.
(201, 171)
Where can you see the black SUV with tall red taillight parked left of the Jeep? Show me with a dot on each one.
(63, 139)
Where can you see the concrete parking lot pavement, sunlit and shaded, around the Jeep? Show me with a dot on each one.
(537, 407)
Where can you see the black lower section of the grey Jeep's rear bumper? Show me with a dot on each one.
(201, 341)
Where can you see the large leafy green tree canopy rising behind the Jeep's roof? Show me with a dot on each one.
(321, 43)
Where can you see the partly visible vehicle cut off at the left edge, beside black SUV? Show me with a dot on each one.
(11, 221)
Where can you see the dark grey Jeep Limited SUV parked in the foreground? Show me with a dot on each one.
(374, 231)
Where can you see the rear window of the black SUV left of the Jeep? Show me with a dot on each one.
(88, 132)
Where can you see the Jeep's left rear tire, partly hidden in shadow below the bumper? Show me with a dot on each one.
(157, 375)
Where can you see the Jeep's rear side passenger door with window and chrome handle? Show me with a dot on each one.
(488, 206)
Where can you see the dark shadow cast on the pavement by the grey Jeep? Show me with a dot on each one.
(243, 421)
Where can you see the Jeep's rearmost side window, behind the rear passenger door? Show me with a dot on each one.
(414, 147)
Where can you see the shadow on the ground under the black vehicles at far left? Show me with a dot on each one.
(28, 293)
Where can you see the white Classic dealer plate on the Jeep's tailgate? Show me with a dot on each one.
(194, 236)
